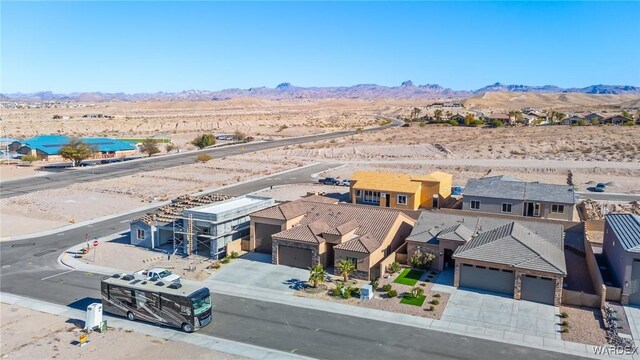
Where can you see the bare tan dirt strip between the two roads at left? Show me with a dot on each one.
(49, 209)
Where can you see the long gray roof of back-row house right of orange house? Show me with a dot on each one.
(519, 190)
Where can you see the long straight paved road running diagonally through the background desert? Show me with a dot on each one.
(62, 179)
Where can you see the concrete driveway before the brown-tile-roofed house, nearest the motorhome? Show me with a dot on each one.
(255, 269)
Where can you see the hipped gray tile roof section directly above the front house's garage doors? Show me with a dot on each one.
(515, 245)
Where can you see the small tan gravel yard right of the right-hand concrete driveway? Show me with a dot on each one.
(585, 326)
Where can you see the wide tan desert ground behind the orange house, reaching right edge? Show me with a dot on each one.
(609, 154)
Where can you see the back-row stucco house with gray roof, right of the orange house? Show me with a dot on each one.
(507, 195)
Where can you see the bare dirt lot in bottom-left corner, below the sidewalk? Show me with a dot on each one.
(29, 334)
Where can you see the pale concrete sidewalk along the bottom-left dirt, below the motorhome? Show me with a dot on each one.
(204, 341)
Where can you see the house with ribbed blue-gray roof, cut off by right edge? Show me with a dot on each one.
(621, 248)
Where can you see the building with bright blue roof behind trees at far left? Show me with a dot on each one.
(48, 147)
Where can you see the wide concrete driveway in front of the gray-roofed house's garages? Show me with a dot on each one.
(503, 314)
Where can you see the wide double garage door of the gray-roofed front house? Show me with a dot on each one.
(488, 279)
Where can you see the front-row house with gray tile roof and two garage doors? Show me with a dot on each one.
(523, 259)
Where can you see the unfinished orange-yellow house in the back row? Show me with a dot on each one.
(400, 191)
